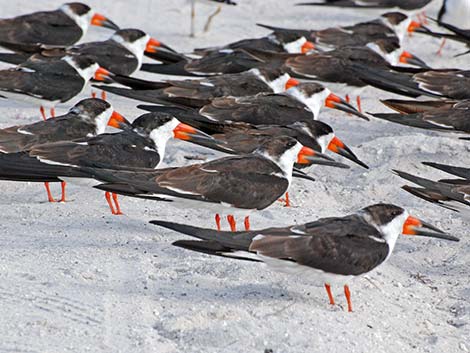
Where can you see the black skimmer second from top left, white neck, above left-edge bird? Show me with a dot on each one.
(121, 54)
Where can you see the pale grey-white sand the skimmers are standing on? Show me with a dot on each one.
(73, 278)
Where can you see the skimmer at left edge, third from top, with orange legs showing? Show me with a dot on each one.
(49, 82)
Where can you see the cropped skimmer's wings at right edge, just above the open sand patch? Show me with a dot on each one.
(445, 117)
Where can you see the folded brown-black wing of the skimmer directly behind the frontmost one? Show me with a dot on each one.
(249, 182)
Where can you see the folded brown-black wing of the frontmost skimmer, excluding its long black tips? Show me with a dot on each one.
(345, 246)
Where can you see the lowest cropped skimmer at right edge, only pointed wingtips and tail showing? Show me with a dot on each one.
(453, 194)
